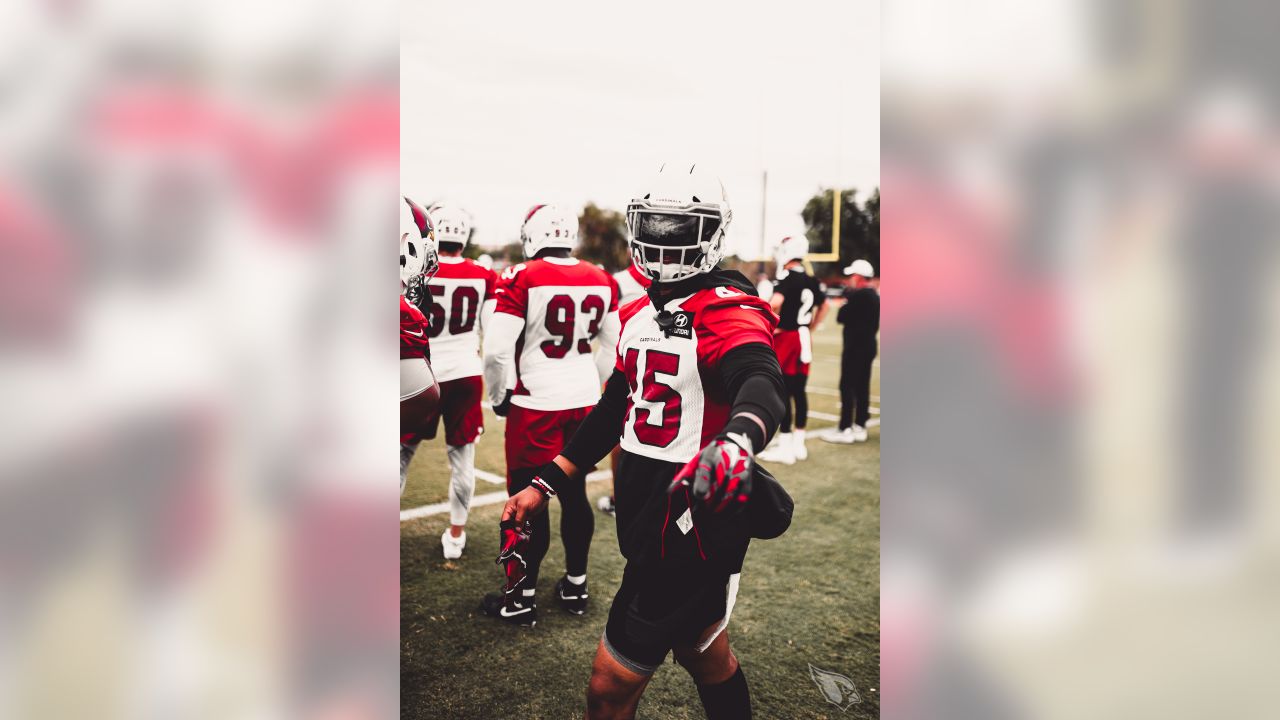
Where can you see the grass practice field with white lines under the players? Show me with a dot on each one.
(811, 598)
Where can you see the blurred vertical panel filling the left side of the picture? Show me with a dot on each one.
(196, 507)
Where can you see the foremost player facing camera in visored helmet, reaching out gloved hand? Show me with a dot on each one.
(696, 389)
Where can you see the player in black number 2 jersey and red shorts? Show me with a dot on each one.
(801, 304)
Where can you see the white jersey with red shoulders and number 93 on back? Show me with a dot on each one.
(548, 313)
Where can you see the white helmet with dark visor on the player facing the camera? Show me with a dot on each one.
(678, 225)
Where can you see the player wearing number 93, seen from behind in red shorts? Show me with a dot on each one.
(550, 311)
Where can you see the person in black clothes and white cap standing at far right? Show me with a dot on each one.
(861, 318)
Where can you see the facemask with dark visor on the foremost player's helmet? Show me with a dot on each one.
(674, 244)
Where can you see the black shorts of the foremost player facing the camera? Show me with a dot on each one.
(660, 609)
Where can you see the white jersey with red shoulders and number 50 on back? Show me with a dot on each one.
(460, 291)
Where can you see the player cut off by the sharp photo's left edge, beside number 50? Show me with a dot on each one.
(420, 394)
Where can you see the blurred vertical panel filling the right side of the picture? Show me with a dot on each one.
(1080, 498)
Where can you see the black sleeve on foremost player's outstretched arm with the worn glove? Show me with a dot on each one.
(755, 382)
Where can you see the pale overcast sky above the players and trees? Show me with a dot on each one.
(508, 106)
